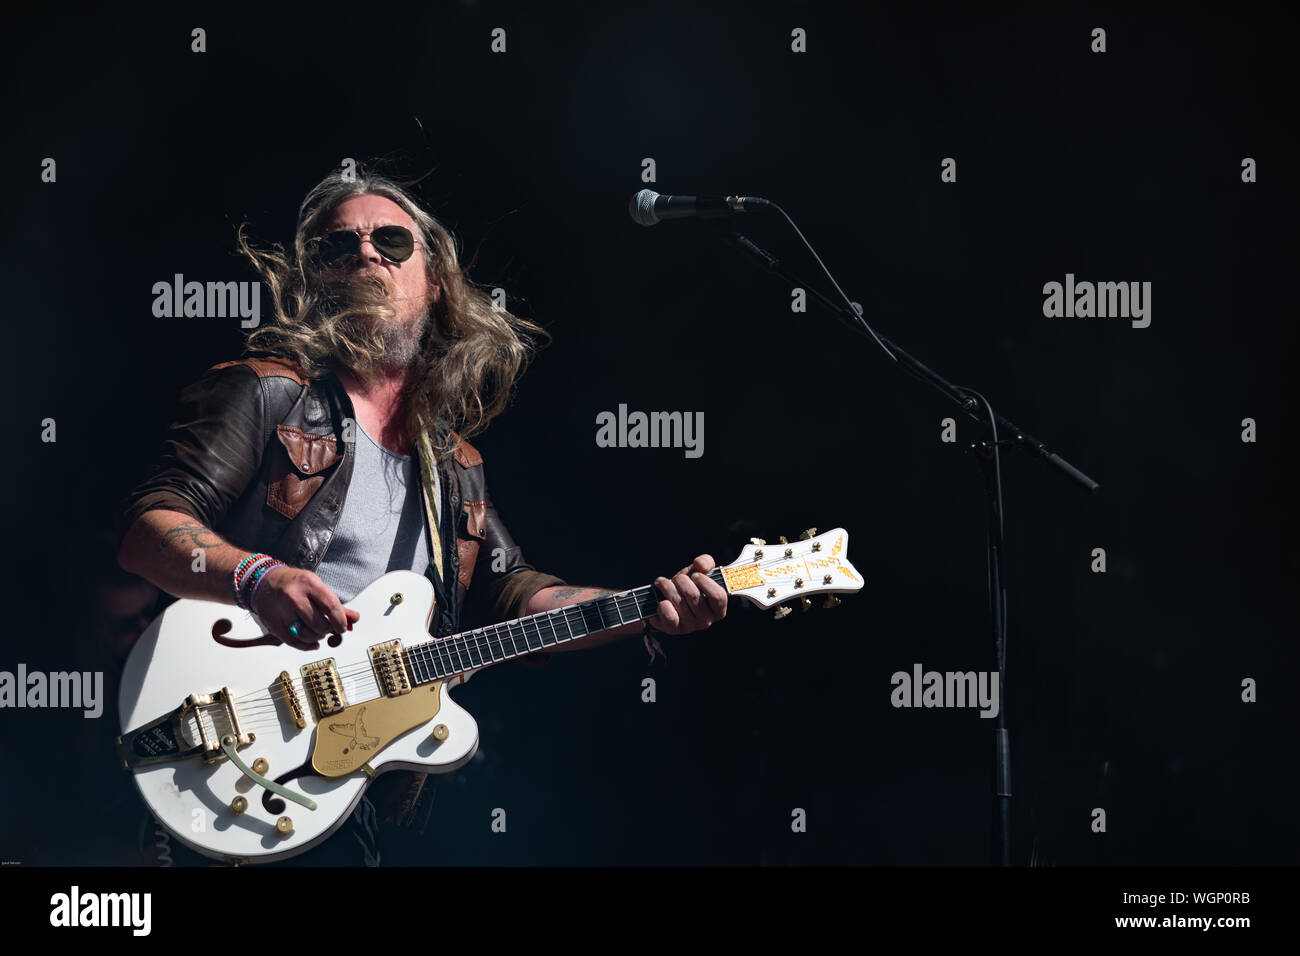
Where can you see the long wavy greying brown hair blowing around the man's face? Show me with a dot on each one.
(470, 356)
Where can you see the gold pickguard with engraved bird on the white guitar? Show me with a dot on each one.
(354, 737)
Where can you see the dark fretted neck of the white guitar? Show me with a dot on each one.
(469, 651)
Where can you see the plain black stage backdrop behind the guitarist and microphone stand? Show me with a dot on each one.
(1156, 690)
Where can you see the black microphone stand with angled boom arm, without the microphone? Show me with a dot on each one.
(987, 449)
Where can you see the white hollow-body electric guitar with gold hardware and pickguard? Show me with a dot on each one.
(252, 751)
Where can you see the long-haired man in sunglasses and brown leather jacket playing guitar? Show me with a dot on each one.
(336, 449)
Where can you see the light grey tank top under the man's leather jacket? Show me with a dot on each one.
(383, 526)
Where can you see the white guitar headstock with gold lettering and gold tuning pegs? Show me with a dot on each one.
(769, 574)
